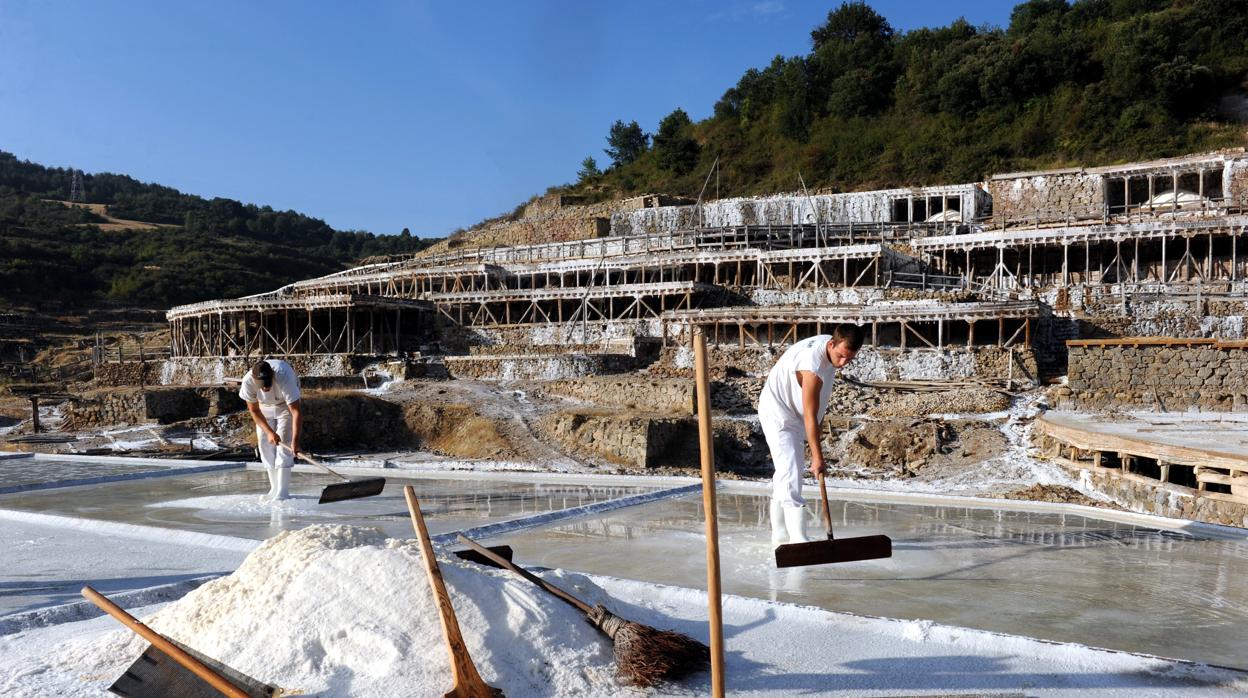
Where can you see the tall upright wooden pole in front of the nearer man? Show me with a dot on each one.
(708, 464)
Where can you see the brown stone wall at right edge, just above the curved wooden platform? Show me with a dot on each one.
(1209, 376)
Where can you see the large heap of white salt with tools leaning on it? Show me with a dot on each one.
(341, 611)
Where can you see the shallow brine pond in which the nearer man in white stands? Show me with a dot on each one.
(1053, 576)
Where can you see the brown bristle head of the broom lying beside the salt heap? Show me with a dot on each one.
(646, 656)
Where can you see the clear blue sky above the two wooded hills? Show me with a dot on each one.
(380, 116)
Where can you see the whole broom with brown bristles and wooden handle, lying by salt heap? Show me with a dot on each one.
(645, 656)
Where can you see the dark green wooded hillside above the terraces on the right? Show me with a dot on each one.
(1090, 83)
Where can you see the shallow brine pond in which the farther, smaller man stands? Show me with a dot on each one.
(227, 504)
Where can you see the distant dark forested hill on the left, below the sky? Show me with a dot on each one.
(205, 249)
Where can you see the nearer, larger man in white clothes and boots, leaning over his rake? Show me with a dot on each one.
(792, 411)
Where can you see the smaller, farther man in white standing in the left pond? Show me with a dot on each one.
(271, 391)
